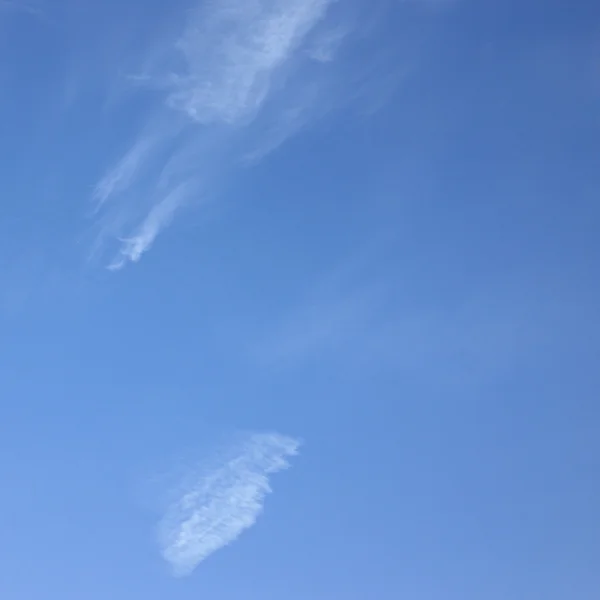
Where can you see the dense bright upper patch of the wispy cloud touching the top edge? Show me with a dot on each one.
(231, 53)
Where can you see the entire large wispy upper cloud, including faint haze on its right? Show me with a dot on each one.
(241, 78)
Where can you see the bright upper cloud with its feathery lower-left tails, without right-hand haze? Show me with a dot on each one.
(213, 82)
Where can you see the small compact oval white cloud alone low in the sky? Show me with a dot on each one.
(222, 501)
